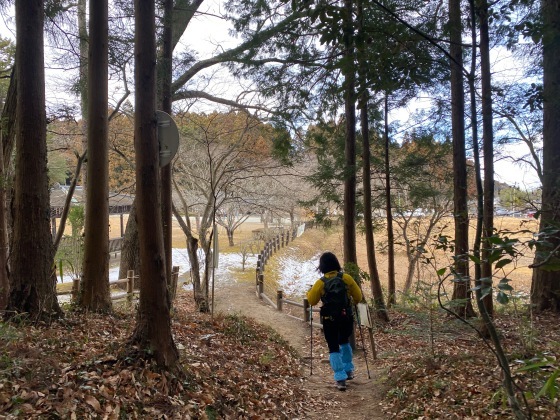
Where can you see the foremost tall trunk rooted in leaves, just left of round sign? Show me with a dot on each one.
(153, 328)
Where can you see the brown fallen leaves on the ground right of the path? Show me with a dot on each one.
(460, 379)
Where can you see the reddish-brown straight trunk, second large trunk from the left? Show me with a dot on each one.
(95, 294)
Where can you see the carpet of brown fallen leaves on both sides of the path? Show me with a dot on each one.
(234, 368)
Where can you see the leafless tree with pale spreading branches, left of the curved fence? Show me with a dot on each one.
(228, 154)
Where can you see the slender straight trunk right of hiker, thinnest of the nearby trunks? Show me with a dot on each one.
(389, 210)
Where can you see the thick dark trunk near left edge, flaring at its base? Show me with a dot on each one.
(33, 290)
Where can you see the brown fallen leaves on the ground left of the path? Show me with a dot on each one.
(232, 367)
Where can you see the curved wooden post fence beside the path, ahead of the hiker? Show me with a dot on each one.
(278, 302)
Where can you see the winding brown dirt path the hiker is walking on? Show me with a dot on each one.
(360, 401)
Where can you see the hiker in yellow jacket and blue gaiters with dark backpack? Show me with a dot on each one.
(335, 289)
